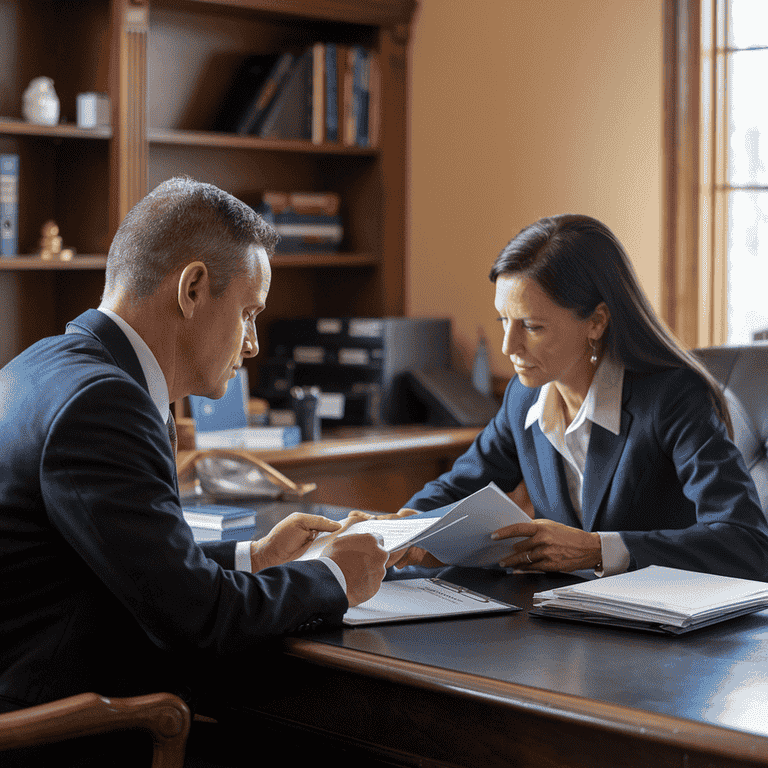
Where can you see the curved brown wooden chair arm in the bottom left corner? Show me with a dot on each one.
(164, 715)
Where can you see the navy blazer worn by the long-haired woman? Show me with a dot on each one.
(672, 482)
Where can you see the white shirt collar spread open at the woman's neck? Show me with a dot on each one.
(602, 404)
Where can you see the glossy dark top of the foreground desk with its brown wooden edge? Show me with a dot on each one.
(705, 691)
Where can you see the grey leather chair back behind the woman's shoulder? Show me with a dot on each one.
(743, 374)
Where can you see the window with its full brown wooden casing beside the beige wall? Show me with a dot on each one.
(716, 210)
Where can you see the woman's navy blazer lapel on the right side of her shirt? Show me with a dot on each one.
(603, 456)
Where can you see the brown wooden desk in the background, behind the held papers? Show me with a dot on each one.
(366, 468)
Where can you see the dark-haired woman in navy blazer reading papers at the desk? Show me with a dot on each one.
(621, 438)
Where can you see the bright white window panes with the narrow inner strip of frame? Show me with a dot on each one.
(734, 75)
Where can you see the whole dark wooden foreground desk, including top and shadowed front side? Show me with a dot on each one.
(514, 690)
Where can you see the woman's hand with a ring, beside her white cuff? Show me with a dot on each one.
(550, 546)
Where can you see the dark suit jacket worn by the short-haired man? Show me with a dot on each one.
(103, 587)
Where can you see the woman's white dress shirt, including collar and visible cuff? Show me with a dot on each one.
(601, 406)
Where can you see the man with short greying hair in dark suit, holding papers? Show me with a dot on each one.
(103, 587)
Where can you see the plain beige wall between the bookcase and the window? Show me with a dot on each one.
(522, 109)
